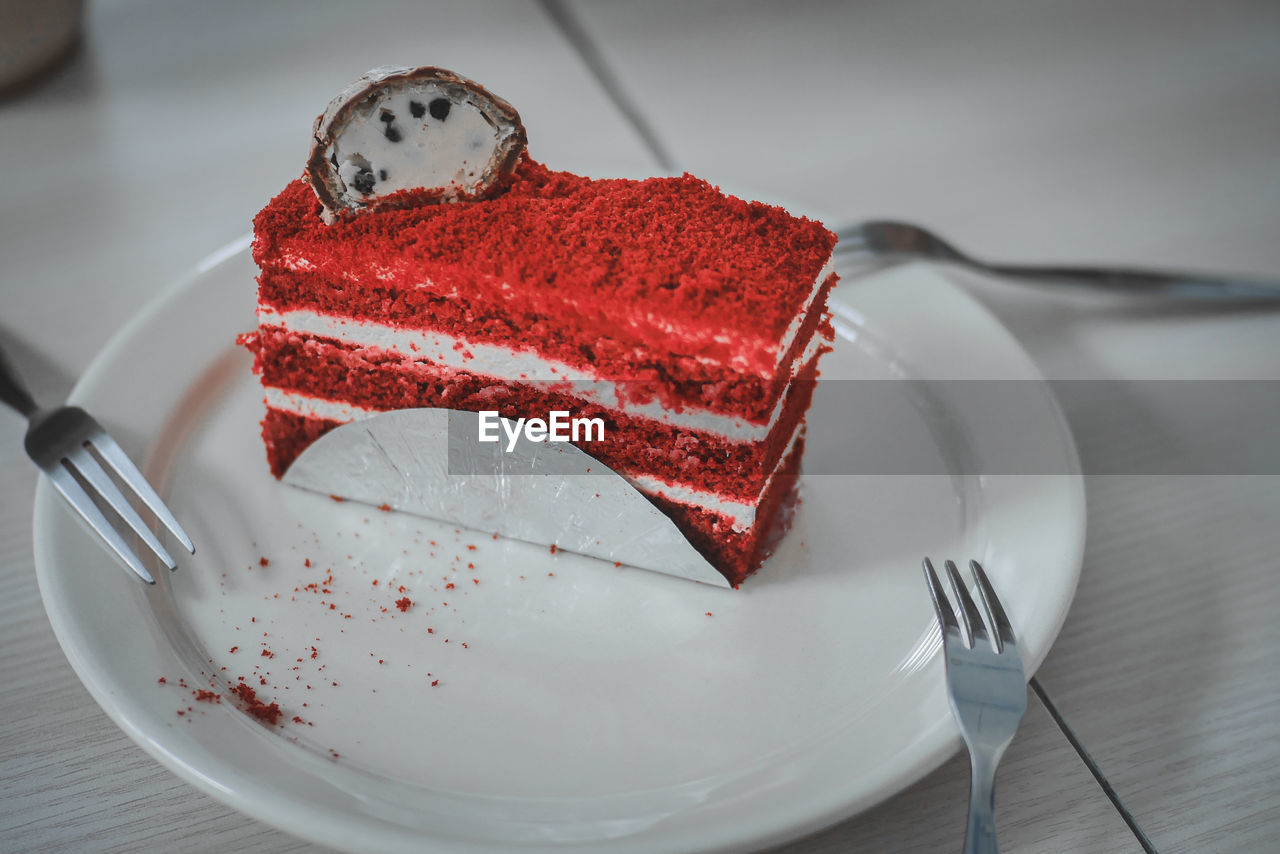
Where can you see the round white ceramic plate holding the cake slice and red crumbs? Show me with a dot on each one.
(560, 702)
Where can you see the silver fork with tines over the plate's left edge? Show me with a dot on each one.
(67, 444)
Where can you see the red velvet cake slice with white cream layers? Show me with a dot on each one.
(691, 322)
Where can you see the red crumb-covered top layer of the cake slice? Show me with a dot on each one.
(668, 266)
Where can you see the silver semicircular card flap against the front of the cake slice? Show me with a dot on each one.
(431, 463)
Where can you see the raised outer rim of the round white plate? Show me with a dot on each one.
(932, 748)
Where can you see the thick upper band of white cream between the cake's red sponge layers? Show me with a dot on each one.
(508, 364)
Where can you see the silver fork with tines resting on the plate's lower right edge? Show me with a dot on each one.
(988, 689)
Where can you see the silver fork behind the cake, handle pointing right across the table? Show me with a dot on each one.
(889, 241)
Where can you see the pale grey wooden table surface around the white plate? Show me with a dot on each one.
(1145, 134)
